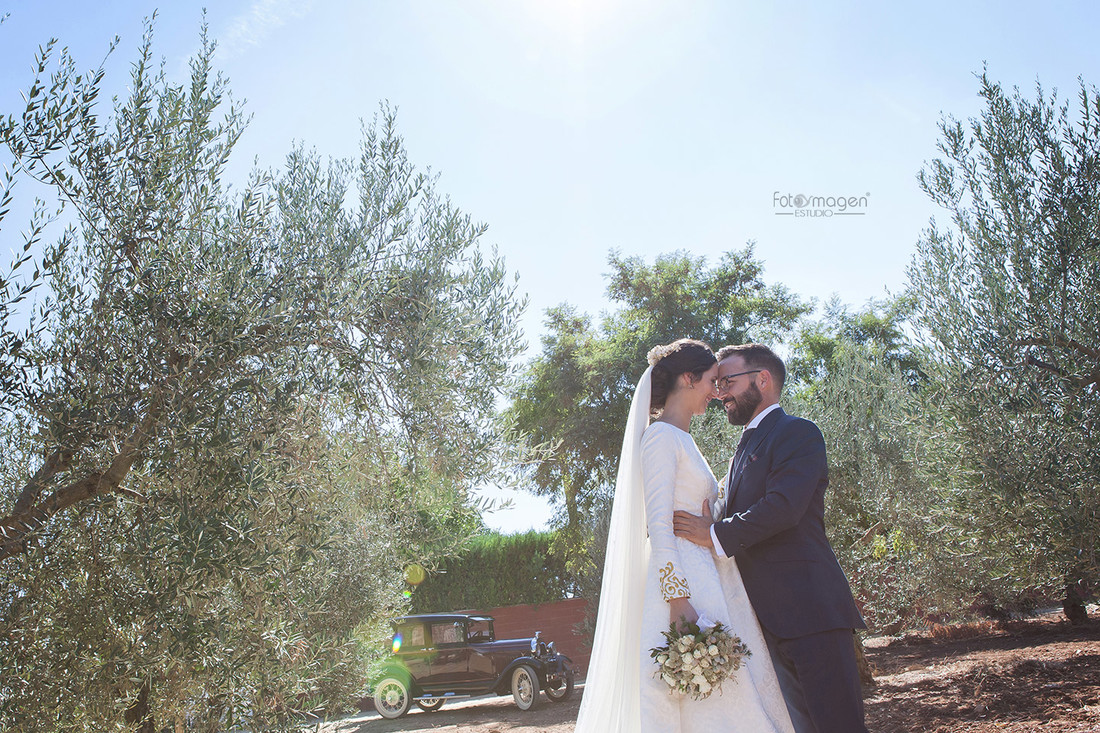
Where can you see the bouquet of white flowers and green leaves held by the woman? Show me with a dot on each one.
(697, 662)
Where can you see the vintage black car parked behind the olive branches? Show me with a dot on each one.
(441, 657)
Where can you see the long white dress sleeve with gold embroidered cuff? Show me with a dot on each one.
(661, 454)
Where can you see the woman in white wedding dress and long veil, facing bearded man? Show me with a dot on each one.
(653, 578)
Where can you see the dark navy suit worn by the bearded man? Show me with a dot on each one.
(775, 528)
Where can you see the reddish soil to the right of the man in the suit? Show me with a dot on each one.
(1039, 675)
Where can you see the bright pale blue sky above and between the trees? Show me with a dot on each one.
(576, 127)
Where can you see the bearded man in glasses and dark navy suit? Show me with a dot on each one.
(775, 528)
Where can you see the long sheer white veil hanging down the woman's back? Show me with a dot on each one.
(613, 686)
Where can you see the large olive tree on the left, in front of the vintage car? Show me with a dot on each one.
(229, 418)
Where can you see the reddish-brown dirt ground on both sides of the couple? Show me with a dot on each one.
(1011, 677)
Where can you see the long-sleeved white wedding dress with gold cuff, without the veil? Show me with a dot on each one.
(677, 477)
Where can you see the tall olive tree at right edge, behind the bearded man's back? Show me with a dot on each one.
(1007, 302)
